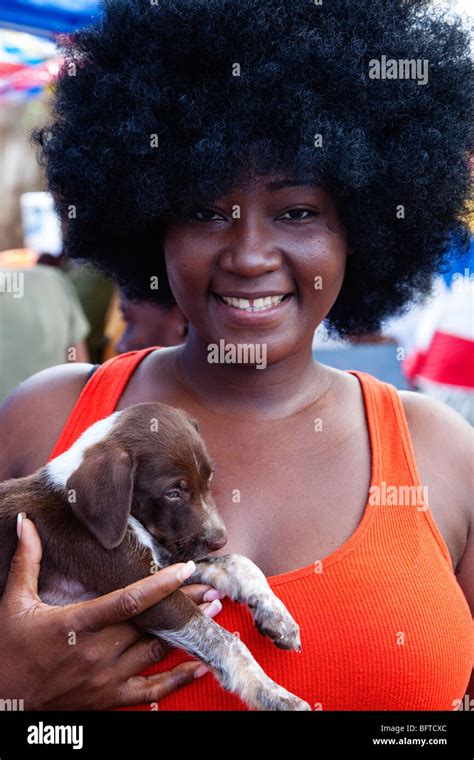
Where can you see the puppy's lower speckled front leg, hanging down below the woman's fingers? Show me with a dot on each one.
(230, 660)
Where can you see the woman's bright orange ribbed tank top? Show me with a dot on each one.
(384, 623)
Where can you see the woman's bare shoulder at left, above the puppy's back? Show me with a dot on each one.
(34, 414)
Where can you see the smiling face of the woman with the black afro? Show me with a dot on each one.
(272, 239)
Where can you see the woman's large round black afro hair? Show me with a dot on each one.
(159, 105)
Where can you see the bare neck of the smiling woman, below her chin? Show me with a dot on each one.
(243, 390)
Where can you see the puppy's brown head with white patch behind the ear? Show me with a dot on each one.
(148, 461)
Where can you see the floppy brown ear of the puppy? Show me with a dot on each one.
(101, 490)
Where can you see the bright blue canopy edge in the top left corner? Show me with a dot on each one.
(42, 17)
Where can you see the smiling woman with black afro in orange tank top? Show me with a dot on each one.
(241, 154)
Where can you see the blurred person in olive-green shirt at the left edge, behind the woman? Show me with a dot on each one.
(41, 320)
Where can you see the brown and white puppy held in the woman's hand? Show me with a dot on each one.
(131, 496)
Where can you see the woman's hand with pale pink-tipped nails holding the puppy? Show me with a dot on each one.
(85, 656)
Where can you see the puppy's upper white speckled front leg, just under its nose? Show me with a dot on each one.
(244, 582)
